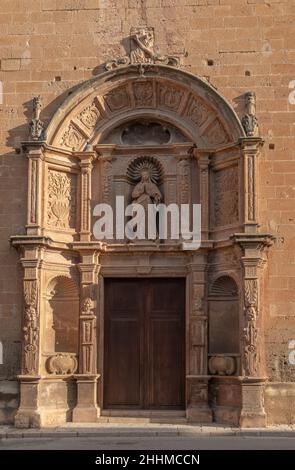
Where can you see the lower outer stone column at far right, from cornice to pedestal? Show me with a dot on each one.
(253, 357)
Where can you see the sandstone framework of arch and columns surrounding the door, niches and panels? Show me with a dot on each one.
(72, 144)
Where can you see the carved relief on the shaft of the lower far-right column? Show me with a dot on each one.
(250, 332)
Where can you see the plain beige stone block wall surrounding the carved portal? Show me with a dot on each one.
(48, 46)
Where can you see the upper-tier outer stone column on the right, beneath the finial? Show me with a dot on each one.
(250, 147)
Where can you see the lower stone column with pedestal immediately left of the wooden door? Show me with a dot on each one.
(87, 409)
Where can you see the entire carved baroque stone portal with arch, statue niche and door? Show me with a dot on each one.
(156, 134)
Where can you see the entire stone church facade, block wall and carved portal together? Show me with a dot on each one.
(99, 99)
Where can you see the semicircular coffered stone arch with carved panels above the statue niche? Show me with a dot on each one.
(128, 93)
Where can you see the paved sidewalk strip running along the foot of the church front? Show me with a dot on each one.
(145, 430)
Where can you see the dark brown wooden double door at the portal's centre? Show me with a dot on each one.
(144, 365)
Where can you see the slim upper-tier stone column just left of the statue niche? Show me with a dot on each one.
(86, 159)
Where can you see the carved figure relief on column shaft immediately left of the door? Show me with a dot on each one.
(88, 326)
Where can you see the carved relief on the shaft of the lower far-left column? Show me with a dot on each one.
(31, 327)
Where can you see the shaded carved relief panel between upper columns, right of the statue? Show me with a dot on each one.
(226, 196)
